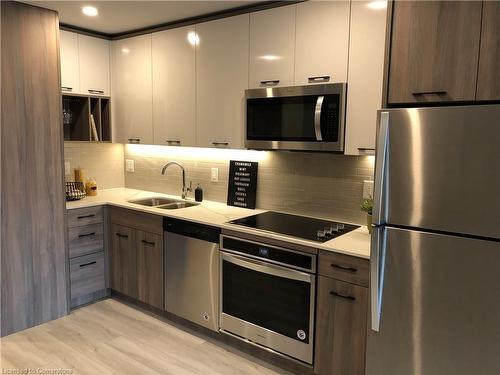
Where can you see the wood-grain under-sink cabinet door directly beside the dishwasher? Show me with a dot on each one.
(150, 268)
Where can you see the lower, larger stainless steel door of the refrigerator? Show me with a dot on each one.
(440, 310)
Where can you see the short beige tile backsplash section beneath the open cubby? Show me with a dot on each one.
(104, 161)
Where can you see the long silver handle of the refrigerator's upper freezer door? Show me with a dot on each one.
(380, 170)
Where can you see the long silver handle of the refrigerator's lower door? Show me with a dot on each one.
(377, 261)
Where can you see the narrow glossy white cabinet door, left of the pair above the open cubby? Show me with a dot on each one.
(70, 75)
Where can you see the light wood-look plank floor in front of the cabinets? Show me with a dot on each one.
(110, 337)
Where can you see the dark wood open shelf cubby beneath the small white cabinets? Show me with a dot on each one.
(77, 112)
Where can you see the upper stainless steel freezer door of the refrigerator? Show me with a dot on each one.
(442, 169)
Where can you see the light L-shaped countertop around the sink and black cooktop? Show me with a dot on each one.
(355, 243)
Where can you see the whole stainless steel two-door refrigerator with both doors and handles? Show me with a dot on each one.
(435, 264)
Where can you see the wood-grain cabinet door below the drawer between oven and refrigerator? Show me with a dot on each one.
(340, 328)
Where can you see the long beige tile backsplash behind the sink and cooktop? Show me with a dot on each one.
(316, 184)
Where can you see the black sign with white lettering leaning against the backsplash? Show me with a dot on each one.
(242, 189)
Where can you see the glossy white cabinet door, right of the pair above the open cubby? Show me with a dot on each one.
(94, 65)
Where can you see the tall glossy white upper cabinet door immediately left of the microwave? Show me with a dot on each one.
(221, 80)
